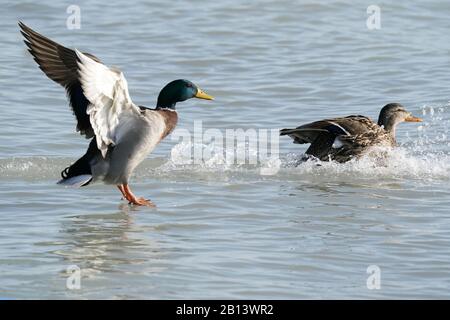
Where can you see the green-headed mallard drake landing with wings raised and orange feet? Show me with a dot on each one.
(122, 133)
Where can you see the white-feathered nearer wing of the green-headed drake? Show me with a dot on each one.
(107, 91)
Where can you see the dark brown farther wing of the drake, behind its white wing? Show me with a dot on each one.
(60, 64)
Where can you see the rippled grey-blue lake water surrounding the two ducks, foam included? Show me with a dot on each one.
(223, 230)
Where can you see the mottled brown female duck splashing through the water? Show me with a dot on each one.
(342, 139)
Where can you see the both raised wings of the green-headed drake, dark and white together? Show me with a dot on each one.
(98, 95)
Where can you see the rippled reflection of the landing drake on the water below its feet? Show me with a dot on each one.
(102, 242)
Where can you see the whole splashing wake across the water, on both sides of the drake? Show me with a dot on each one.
(424, 154)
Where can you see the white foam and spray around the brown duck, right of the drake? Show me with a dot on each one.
(424, 154)
